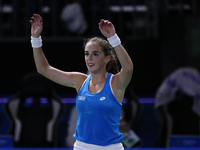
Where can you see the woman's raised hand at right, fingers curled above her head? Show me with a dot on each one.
(106, 28)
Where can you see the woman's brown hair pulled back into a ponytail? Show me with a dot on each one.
(112, 66)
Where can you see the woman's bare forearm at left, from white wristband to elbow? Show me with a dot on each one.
(40, 60)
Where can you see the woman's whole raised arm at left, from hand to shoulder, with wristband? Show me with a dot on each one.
(70, 79)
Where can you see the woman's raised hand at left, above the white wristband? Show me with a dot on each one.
(36, 25)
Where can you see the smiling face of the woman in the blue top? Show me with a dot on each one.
(95, 58)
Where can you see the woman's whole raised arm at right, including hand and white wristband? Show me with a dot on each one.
(124, 76)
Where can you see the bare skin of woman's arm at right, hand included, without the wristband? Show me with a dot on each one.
(121, 80)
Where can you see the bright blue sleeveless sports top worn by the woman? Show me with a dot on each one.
(98, 115)
